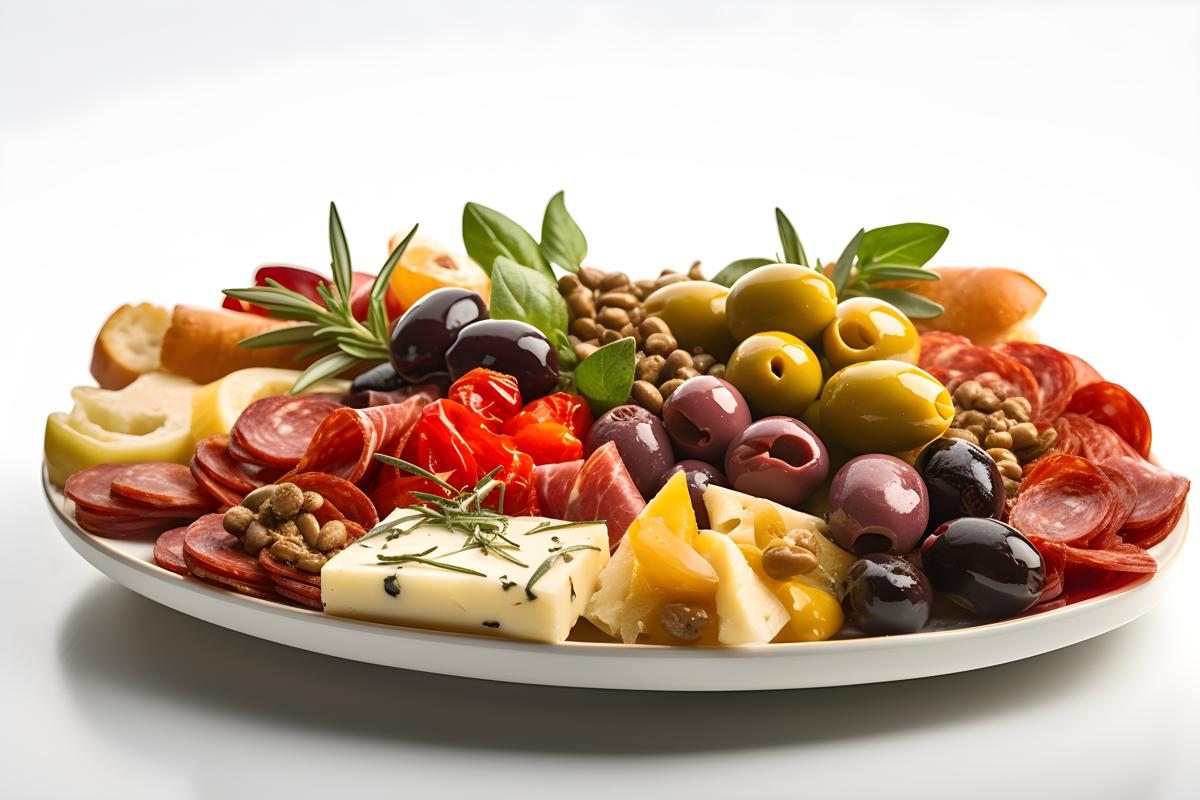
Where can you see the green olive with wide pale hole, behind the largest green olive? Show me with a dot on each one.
(867, 329)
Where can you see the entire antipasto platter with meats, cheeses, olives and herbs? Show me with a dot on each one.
(794, 474)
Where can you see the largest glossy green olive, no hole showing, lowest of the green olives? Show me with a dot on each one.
(885, 407)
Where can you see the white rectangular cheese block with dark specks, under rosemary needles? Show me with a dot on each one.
(356, 584)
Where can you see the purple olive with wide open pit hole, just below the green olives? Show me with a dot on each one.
(778, 459)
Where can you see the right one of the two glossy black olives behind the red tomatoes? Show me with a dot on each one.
(511, 347)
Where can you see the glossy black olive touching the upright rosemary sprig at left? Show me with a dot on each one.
(425, 332)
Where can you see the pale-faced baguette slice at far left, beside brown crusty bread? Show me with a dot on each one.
(129, 345)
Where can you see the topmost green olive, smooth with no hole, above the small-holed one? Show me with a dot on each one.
(782, 298)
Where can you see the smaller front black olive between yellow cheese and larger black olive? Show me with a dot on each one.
(887, 596)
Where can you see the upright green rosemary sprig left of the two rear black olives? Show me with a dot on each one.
(329, 328)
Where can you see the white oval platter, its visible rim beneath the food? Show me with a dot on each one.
(603, 665)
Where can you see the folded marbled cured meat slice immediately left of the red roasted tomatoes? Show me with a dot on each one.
(347, 441)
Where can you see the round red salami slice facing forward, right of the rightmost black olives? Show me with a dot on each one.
(1064, 500)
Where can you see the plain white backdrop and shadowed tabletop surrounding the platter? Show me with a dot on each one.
(159, 153)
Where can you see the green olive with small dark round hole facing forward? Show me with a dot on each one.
(777, 372)
